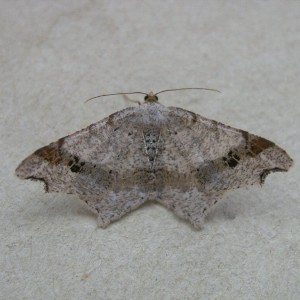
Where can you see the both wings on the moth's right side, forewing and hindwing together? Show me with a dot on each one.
(210, 159)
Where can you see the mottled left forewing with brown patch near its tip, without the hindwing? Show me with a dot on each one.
(86, 162)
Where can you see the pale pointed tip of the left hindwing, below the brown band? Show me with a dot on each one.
(111, 207)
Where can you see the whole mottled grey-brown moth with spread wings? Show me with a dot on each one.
(154, 153)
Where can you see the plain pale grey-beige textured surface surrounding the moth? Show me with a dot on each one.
(56, 54)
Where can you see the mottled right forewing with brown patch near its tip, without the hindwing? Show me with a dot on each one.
(224, 157)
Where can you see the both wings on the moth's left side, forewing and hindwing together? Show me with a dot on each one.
(94, 163)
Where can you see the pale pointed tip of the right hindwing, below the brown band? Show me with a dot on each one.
(191, 206)
